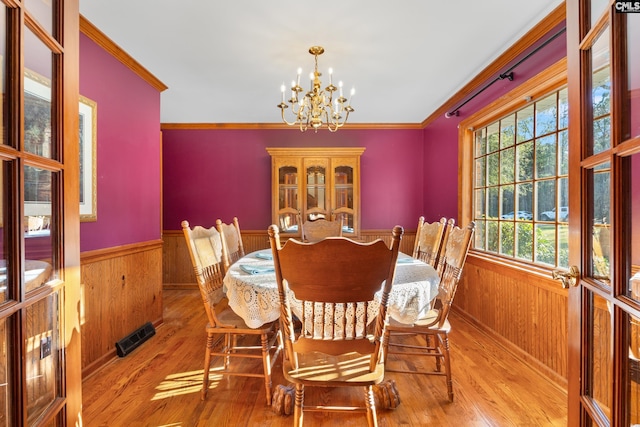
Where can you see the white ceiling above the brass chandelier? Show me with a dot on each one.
(224, 62)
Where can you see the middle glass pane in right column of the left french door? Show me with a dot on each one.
(37, 226)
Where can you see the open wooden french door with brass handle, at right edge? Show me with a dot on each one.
(603, 54)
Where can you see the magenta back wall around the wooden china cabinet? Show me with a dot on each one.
(210, 174)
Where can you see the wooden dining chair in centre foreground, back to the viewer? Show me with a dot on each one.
(332, 283)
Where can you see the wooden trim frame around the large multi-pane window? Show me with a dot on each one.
(538, 87)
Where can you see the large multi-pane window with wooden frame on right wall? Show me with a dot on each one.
(517, 160)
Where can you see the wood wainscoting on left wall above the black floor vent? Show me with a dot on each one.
(121, 291)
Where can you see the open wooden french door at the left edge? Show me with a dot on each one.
(40, 359)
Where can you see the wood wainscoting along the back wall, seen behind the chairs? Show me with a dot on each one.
(177, 272)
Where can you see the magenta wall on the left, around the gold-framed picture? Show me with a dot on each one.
(128, 152)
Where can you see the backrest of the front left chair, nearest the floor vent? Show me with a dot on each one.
(205, 250)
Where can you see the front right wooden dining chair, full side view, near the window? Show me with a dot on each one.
(434, 326)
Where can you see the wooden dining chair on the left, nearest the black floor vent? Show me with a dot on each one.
(228, 336)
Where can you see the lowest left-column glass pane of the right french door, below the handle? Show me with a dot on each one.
(599, 353)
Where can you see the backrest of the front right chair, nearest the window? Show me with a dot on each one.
(450, 267)
